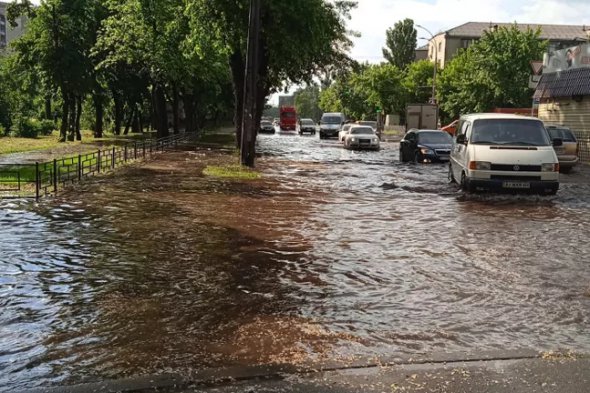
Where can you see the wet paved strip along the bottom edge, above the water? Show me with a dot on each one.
(492, 372)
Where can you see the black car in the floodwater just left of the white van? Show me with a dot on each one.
(425, 146)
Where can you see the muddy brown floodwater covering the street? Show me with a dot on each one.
(333, 255)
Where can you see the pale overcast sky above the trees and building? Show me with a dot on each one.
(373, 17)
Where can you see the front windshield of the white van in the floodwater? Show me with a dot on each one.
(509, 132)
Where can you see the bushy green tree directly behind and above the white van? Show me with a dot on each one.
(494, 72)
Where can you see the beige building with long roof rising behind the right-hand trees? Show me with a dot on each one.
(445, 45)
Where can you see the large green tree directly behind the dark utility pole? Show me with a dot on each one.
(320, 24)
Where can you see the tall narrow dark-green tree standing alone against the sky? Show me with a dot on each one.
(400, 44)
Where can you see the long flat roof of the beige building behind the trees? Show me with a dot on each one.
(548, 32)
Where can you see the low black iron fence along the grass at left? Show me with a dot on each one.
(35, 180)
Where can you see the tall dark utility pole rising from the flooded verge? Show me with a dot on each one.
(248, 142)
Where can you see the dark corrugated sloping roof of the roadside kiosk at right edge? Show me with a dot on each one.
(568, 83)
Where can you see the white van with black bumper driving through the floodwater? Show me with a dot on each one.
(504, 152)
